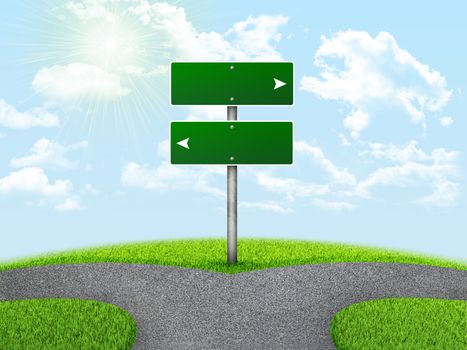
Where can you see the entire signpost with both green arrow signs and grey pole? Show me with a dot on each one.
(231, 142)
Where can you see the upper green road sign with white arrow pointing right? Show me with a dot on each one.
(232, 83)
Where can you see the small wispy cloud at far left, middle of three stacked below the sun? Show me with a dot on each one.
(48, 153)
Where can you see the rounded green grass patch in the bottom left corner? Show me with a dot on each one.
(64, 324)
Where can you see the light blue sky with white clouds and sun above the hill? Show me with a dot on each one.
(379, 123)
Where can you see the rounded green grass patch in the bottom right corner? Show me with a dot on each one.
(404, 323)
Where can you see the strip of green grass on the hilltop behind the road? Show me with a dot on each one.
(253, 254)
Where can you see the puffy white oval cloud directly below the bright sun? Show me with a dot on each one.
(78, 81)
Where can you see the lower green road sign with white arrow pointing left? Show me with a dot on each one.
(231, 142)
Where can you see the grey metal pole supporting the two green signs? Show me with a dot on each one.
(232, 201)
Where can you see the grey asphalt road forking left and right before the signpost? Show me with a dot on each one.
(281, 308)
